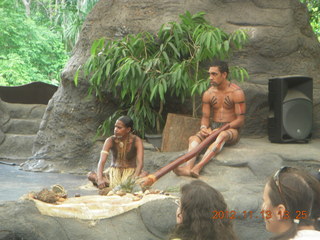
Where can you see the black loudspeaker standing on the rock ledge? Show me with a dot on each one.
(290, 109)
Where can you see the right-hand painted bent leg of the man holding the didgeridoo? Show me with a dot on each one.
(228, 136)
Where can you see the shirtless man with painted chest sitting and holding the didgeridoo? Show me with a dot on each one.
(225, 101)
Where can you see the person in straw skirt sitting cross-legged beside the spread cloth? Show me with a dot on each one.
(127, 156)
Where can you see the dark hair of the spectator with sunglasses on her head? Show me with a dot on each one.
(293, 189)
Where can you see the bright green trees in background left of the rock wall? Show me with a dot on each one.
(36, 37)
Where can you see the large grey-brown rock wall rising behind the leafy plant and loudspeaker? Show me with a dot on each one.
(281, 43)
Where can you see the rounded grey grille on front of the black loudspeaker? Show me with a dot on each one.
(297, 118)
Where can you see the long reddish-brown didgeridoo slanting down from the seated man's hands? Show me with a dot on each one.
(151, 178)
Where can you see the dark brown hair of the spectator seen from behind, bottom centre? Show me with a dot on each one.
(198, 202)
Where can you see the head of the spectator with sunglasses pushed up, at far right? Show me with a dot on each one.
(291, 202)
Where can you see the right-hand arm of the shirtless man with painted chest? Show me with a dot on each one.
(240, 108)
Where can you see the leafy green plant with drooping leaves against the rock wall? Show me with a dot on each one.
(141, 70)
